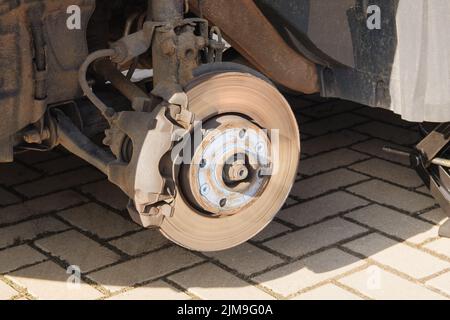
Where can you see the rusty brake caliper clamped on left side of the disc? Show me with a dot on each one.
(141, 178)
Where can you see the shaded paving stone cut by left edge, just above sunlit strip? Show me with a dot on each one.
(17, 257)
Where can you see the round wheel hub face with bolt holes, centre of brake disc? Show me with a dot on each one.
(229, 169)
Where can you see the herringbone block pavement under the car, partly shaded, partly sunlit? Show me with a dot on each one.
(359, 224)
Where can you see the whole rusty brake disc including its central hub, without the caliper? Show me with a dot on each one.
(243, 170)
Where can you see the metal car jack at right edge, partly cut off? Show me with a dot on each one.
(429, 160)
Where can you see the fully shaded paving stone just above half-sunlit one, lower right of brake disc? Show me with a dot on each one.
(315, 237)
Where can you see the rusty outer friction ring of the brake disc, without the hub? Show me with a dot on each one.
(242, 94)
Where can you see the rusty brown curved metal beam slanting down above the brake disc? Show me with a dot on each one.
(249, 32)
